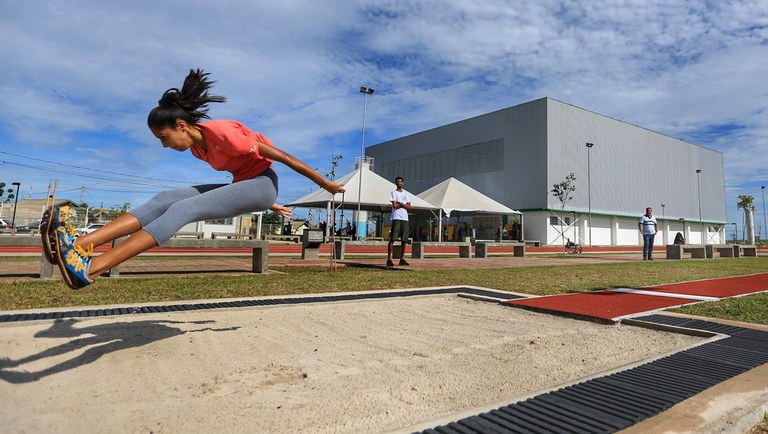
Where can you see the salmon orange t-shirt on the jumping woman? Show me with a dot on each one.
(232, 147)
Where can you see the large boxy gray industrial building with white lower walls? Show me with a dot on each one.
(516, 155)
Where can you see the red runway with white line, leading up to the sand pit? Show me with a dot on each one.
(612, 305)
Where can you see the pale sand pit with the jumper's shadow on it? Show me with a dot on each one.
(363, 366)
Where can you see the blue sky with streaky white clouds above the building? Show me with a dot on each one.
(79, 78)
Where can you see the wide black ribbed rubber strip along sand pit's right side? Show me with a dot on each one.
(620, 400)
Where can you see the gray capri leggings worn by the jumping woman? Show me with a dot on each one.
(168, 211)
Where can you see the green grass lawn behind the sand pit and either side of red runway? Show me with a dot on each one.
(539, 280)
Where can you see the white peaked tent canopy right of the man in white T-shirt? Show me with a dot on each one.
(453, 195)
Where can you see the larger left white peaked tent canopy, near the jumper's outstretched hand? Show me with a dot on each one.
(374, 194)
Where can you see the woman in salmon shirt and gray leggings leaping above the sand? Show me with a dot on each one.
(225, 145)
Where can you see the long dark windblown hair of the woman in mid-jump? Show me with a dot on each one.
(189, 104)
